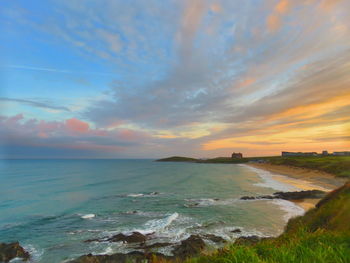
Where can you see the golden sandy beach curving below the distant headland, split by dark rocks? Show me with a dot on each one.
(304, 179)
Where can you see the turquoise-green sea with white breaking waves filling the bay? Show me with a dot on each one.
(52, 206)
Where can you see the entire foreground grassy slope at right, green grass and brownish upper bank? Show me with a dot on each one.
(321, 235)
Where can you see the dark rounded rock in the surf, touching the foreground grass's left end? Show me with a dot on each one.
(190, 247)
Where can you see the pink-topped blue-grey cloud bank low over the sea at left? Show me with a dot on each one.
(68, 134)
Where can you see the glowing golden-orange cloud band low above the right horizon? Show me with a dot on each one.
(309, 128)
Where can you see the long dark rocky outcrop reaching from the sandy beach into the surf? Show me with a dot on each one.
(298, 195)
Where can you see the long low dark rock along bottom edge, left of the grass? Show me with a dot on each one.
(132, 257)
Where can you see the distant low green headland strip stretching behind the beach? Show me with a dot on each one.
(337, 165)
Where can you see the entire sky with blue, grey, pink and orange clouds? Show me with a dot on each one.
(157, 78)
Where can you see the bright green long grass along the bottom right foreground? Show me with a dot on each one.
(318, 247)
